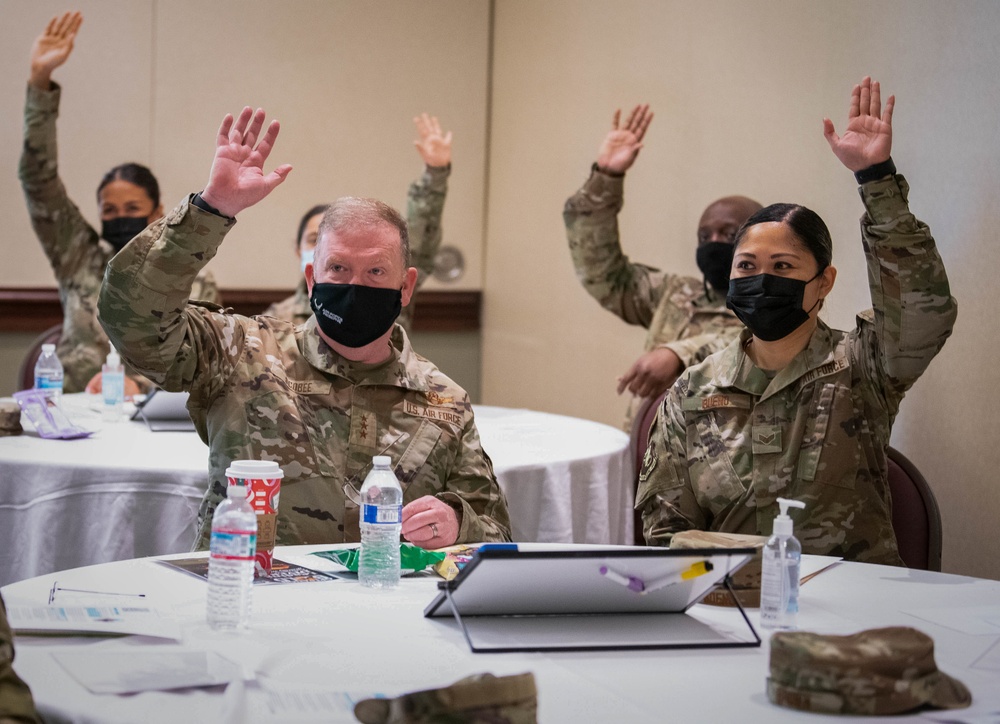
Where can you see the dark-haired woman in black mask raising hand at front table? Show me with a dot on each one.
(793, 408)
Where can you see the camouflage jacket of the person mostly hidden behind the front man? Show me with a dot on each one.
(424, 206)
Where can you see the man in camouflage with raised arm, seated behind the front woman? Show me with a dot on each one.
(686, 318)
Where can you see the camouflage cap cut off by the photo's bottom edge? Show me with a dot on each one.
(479, 699)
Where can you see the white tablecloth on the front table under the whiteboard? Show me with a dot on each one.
(342, 637)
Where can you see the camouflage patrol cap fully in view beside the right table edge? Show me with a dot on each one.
(878, 671)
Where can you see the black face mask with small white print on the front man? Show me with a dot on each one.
(353, 315)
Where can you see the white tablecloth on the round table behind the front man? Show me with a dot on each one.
(127, 492)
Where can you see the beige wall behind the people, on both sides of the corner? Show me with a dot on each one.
(739, 89)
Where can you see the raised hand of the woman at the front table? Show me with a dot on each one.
(868, 138)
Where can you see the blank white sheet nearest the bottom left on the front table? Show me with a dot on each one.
(129, 672)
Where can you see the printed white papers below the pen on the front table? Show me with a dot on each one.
(90, 620)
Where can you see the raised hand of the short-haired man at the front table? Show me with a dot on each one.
(237, 179)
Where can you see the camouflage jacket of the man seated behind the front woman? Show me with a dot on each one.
(676, 310)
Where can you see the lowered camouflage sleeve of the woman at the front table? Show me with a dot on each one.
(665, 497)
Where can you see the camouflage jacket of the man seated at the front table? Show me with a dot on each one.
(263, 388)
